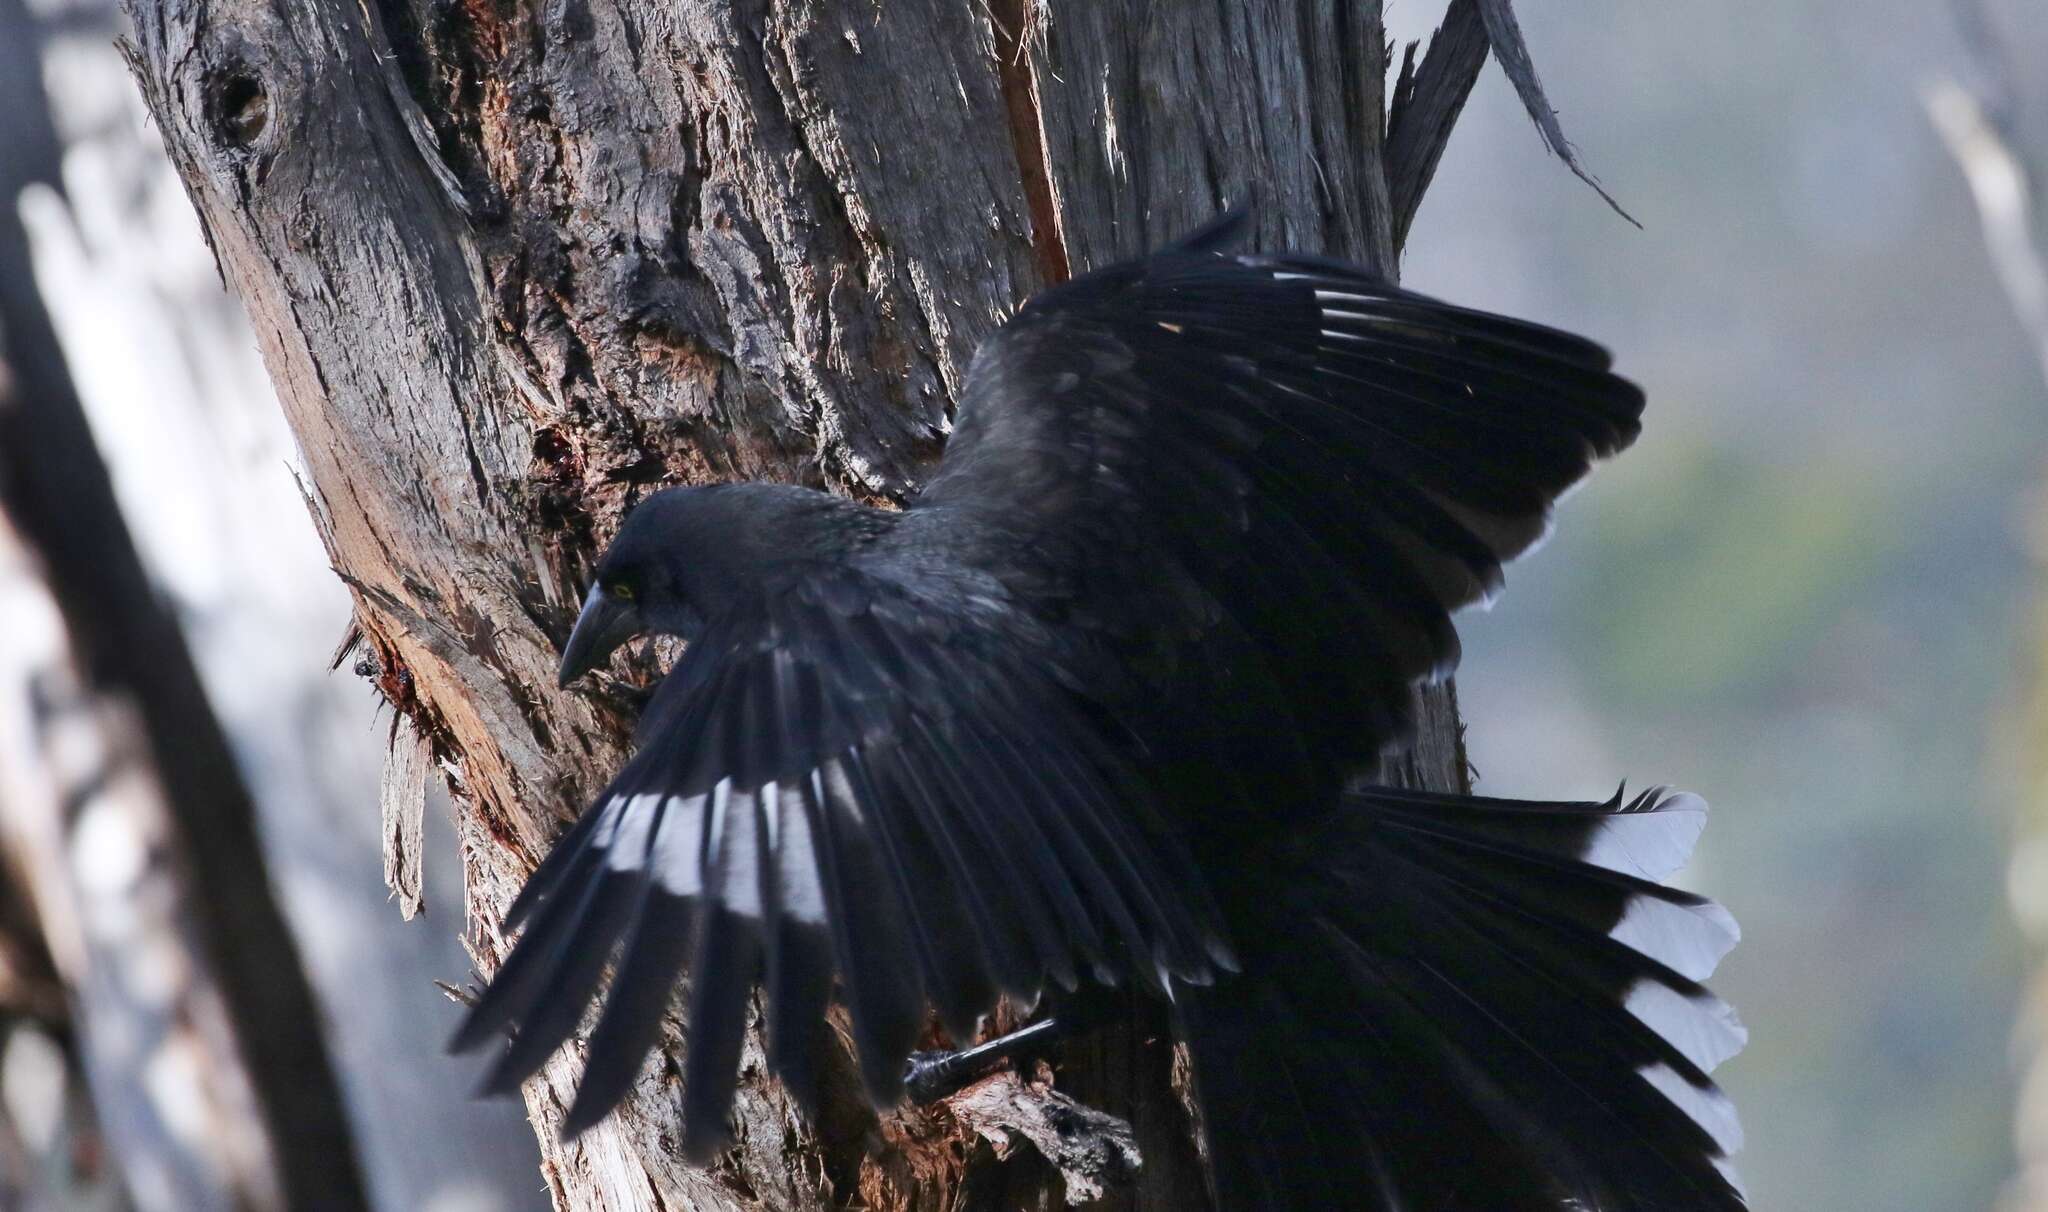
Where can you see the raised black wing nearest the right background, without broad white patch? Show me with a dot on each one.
(1269, 470)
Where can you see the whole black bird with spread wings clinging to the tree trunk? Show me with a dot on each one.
(1093, 711)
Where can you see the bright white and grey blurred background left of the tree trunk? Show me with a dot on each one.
(202, 466)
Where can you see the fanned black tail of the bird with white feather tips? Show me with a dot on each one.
(1457, 1002)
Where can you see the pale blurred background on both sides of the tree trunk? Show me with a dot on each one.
(1814, 593)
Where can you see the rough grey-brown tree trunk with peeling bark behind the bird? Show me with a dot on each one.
(517, 265)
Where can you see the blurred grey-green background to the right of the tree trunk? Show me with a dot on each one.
(1814, 591)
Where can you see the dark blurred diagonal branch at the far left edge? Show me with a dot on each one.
(142, 693)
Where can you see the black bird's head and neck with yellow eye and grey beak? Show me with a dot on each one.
(687, 554)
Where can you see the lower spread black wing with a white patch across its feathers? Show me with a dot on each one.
(851, 781)
